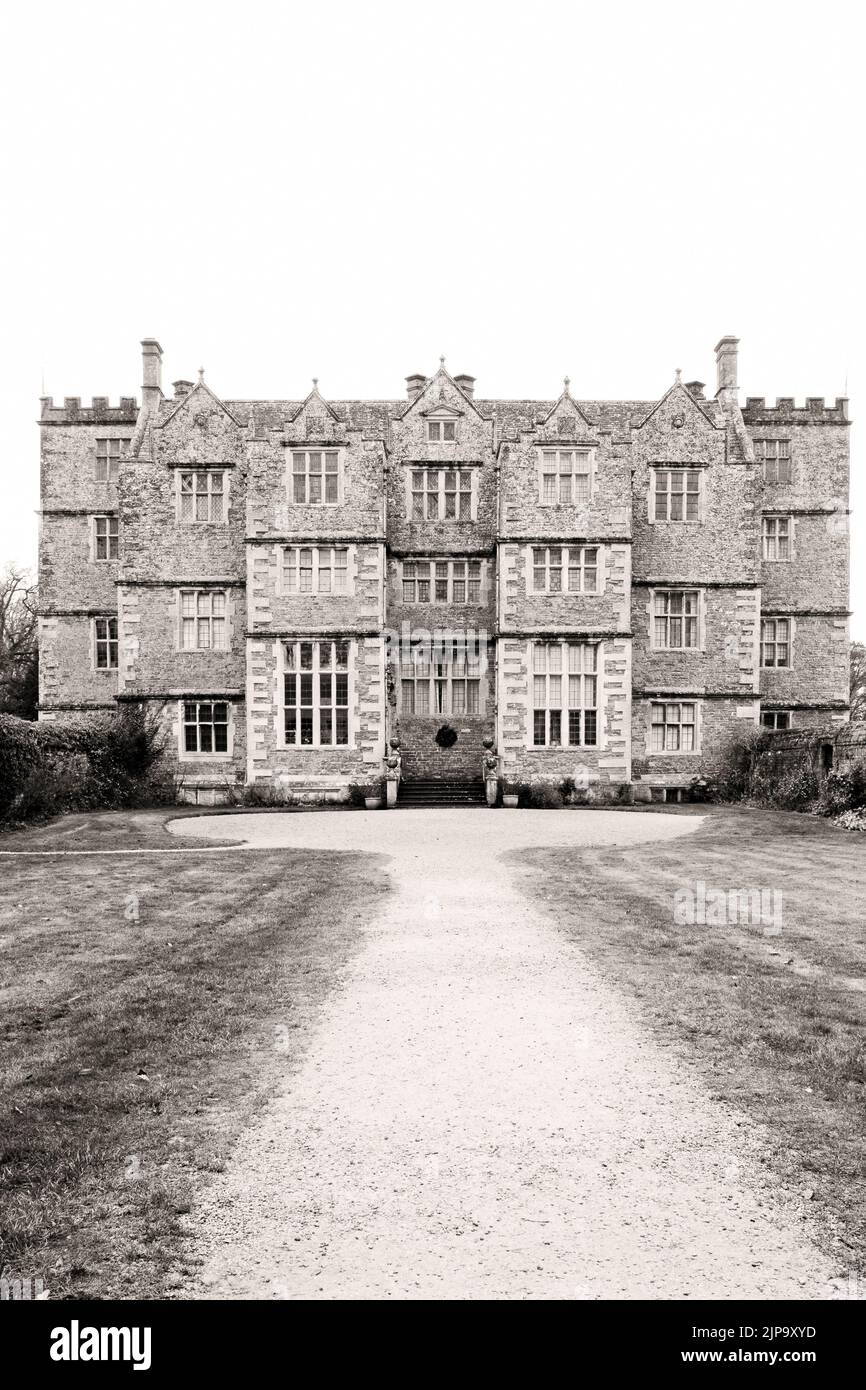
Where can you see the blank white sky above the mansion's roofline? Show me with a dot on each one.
(347, 191)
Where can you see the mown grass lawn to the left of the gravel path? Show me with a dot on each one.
(149, 1004)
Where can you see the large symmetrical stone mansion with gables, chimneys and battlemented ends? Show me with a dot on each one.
(598, 590)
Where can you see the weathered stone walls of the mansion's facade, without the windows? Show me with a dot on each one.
(380, 444)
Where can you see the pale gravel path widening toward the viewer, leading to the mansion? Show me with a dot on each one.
(479, 1115)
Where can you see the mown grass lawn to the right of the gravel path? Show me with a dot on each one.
(775, 1022)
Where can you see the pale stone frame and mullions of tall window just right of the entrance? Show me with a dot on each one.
(565, 707)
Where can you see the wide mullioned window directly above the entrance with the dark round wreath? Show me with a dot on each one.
(461, 671)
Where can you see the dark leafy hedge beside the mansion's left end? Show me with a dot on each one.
(80, 764)
